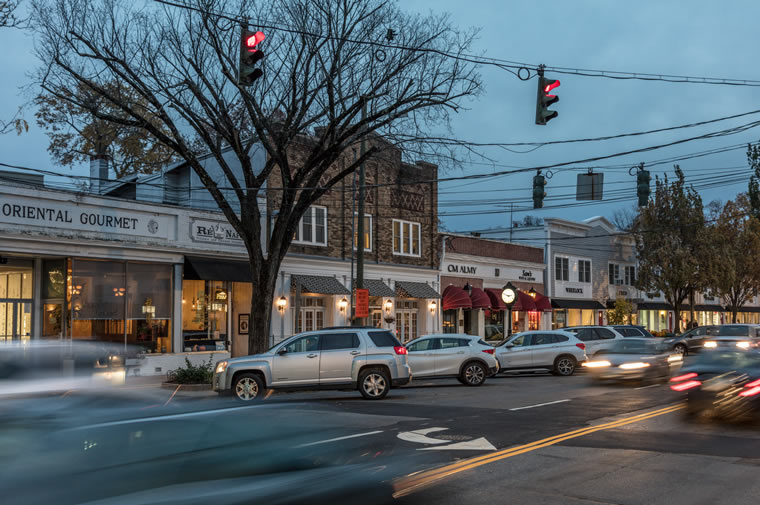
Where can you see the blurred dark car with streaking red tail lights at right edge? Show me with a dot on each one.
(721, 383)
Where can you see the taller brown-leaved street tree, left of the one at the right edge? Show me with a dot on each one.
(670, 233)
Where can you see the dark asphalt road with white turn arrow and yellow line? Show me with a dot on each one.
(540, 439)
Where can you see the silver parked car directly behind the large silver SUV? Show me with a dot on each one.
(466, 357)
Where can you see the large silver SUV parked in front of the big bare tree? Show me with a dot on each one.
(367, 359)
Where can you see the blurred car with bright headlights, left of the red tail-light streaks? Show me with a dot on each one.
(633, 359)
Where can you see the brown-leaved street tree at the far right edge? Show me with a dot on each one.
(734, 240)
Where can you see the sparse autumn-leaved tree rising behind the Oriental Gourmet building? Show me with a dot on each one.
(76, 133)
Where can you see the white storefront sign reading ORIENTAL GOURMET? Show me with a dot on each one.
(29, 211)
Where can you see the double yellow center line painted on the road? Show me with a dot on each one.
(410, 484)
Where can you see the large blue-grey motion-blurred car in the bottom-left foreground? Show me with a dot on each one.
(119, 448)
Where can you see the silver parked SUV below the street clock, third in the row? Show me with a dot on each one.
(558, 351)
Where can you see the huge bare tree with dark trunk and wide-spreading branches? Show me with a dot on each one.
(325, 61)
